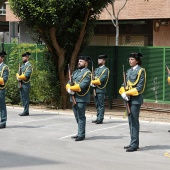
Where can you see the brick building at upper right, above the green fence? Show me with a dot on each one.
(142, 22)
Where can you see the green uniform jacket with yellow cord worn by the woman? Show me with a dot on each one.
(132, 76)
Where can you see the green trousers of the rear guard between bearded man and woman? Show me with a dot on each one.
(99, 103)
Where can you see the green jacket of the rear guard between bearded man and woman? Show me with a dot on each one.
(103, 74)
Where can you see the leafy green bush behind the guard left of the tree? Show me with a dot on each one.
(44, 80)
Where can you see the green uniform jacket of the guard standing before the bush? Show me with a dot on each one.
(26, 69)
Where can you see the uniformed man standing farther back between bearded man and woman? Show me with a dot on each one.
(99, 82)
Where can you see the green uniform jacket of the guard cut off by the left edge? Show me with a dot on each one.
(4, 72)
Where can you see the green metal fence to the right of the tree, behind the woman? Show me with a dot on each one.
(157, 88)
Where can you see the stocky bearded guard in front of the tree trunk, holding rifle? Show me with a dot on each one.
(79, 91)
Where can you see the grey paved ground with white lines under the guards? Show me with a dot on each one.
(42, 141)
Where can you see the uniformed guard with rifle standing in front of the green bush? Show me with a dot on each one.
(23, 77)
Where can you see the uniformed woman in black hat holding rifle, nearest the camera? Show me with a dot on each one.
(135, 80)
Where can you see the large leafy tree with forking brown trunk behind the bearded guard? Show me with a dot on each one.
(64, 26)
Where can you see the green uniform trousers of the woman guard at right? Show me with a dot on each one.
(134, 124)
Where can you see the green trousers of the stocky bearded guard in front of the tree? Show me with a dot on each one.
(79, 113)
